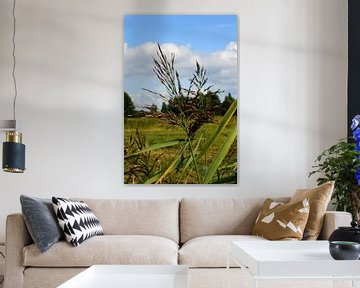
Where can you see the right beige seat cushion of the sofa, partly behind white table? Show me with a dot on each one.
(211, 251)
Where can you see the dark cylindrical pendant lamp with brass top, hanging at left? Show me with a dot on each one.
(13, 153)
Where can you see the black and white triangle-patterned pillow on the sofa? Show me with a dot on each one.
(77, 220)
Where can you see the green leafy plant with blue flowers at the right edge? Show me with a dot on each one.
(341, 163)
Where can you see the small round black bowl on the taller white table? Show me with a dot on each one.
(344, 250)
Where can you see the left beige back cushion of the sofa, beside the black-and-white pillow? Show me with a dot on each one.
(159, 217)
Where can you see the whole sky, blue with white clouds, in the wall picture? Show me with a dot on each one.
(209, 39)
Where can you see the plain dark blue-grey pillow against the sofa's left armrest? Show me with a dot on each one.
(41, 221)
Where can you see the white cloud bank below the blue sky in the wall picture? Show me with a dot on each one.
(221, 68)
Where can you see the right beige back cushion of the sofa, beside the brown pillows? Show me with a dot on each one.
(200, 217)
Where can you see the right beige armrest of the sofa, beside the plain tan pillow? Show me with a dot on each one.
(332, 220)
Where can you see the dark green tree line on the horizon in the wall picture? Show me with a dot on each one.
(210, 102)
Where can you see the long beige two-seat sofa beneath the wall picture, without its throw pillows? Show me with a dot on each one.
(194, 232)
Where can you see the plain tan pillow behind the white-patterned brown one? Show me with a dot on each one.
(319, 198)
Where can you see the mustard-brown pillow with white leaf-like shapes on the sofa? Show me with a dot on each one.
(279, 221)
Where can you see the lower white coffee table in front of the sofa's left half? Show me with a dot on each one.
(131, 276)
